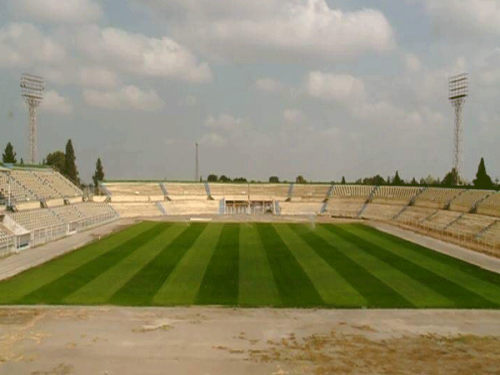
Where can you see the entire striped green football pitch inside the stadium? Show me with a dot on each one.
(260, 264)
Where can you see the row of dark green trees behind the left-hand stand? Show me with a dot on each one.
(64, 162)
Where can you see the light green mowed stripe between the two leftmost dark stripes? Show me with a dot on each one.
(99, 290)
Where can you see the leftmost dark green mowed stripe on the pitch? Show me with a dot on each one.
(62, 287)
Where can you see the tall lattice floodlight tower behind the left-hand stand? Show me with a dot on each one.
(32, 88)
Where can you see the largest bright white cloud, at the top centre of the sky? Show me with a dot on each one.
(242, 29)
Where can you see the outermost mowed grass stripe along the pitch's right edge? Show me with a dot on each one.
(469, 276)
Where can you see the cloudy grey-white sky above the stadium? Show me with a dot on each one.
(322, 88)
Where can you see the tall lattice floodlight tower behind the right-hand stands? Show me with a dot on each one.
(458, 91)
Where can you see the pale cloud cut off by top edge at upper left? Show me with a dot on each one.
(60, 11)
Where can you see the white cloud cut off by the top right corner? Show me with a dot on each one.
(464, 16)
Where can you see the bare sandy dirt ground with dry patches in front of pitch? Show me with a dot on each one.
(205, 340)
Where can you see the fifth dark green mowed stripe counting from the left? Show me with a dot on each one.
(354, 267)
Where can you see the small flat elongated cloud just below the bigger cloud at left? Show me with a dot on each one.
(127, 98)
